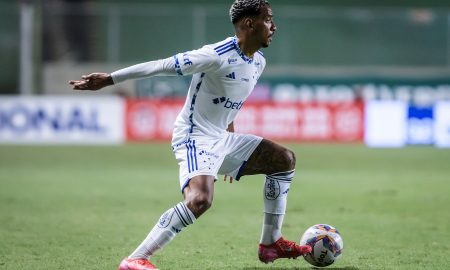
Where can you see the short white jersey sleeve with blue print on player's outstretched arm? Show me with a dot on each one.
(196, 61)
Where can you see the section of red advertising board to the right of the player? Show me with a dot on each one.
(343, 122)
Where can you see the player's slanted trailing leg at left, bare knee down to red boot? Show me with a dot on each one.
(198, 195)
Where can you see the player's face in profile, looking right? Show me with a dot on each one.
(265, 27)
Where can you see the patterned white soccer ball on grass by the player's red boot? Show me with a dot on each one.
(326, 243)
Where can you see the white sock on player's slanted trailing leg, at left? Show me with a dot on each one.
(168, 226)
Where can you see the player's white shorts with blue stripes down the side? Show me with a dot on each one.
(225, 155)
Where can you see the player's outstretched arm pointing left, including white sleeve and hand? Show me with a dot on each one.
(202, 60)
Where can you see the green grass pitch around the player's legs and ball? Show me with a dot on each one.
(87, 207)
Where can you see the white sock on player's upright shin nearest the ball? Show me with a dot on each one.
(276, 189)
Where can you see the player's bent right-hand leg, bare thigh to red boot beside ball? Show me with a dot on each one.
(278, 164)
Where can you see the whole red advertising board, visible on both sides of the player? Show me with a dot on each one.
(149, 119)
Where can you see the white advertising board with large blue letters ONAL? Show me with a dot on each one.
(61, 120)
